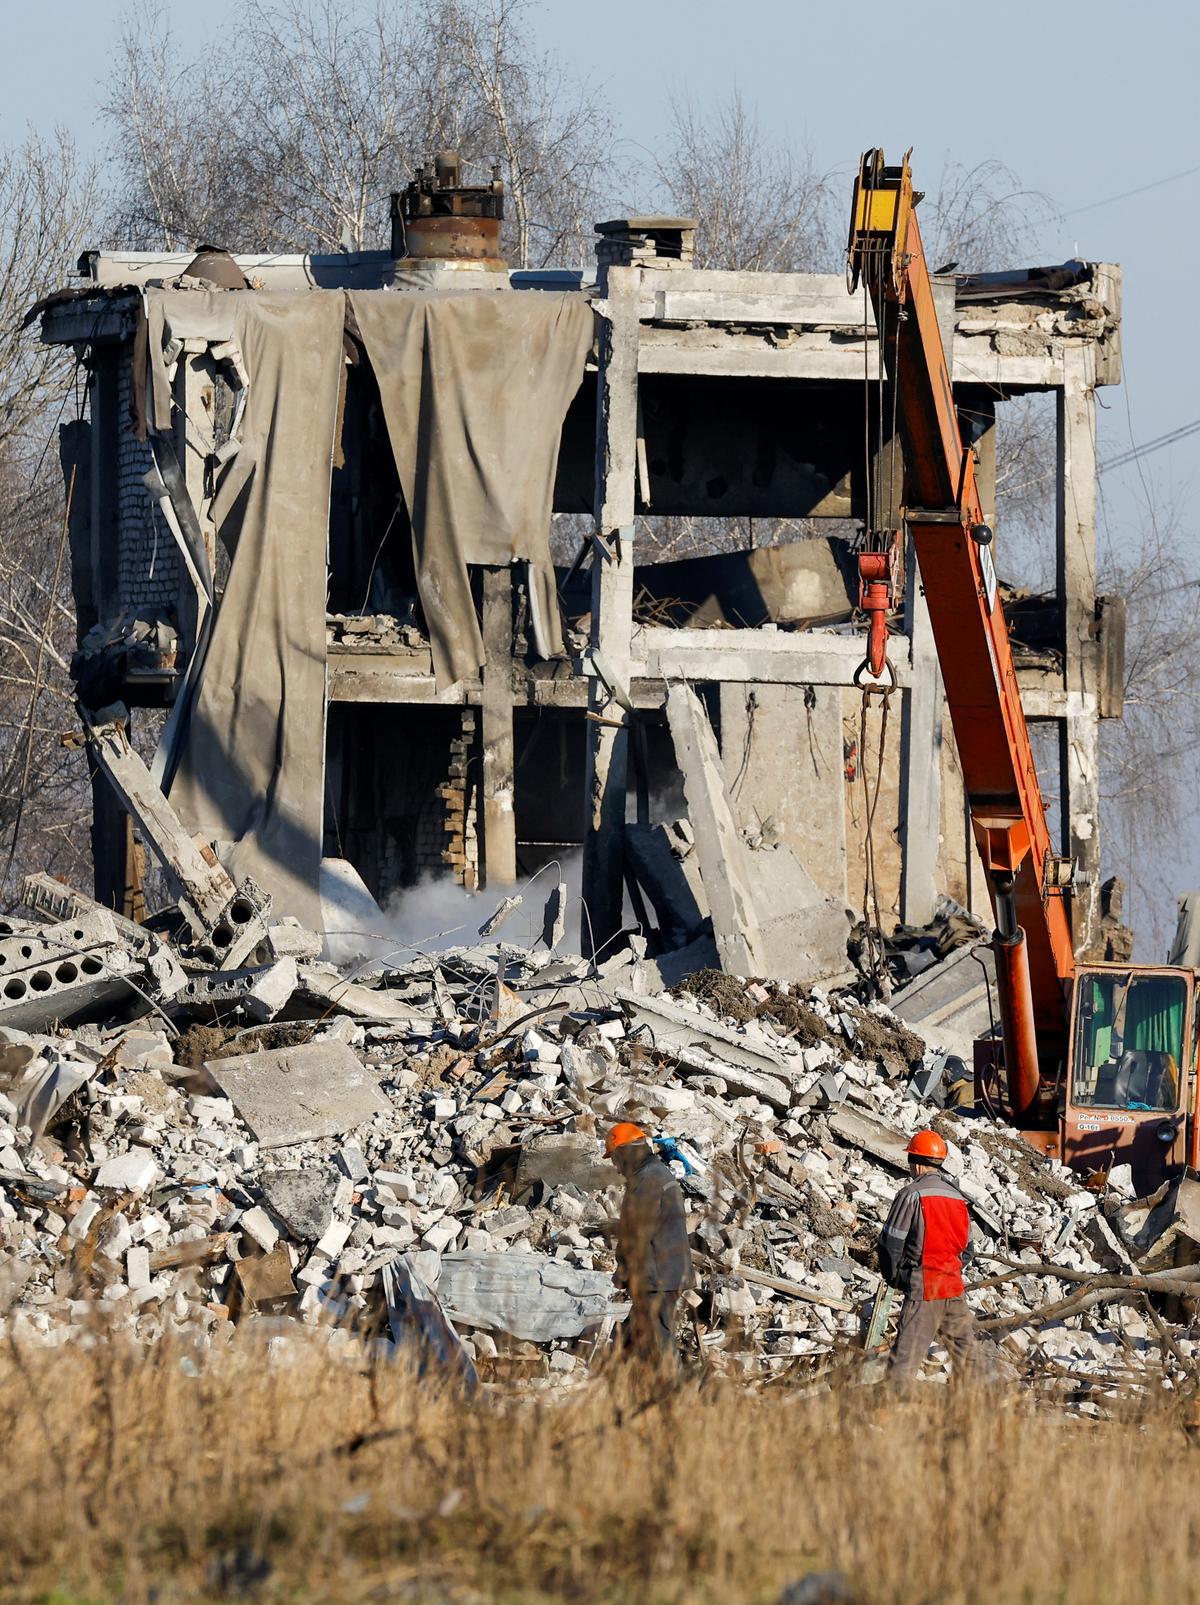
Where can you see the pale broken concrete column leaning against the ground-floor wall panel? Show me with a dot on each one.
(720, 848)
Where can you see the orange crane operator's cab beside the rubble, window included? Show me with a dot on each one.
(1132, 1073)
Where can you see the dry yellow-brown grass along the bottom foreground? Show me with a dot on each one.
(306, 1477)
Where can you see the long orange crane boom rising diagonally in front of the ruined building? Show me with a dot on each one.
(952, 542)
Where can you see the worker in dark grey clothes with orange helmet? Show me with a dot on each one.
(654, 1258)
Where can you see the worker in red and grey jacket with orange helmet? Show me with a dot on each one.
(922, 1251)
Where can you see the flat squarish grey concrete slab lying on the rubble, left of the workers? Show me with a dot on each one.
(298, 1095)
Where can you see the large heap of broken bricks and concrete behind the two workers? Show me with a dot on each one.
(421, 1144)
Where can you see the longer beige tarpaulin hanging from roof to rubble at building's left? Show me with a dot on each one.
(253, 766)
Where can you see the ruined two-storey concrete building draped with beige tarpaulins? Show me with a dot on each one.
(312, 519)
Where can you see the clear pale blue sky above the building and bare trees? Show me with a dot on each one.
(1080, 102)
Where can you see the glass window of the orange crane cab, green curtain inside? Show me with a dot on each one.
(1129, 1041)
